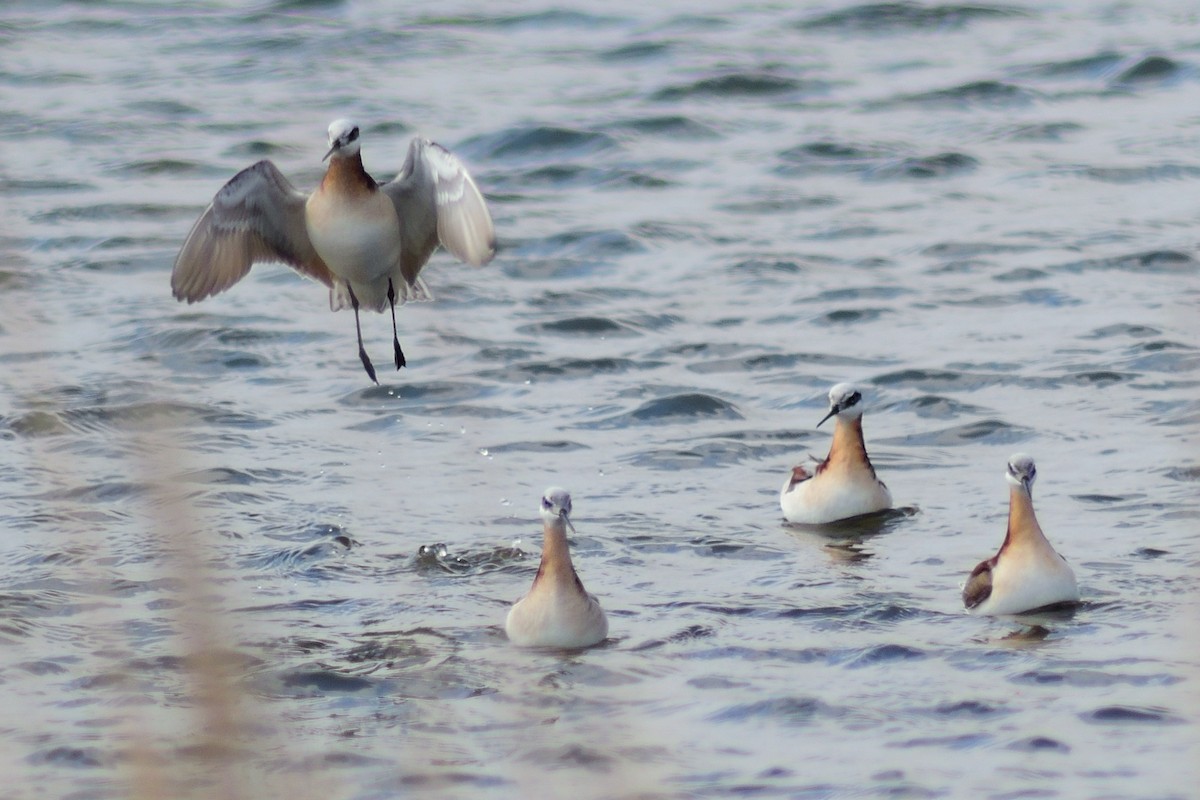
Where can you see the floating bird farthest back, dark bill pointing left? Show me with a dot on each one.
(844, 485)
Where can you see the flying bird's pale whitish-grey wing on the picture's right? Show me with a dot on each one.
(439, 203)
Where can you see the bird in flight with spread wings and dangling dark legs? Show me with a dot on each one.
(364, 240)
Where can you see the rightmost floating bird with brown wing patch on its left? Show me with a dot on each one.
(1028, 574)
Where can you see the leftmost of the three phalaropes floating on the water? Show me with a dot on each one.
(557, 612)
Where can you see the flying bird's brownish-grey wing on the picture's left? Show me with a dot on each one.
(259, 216)
